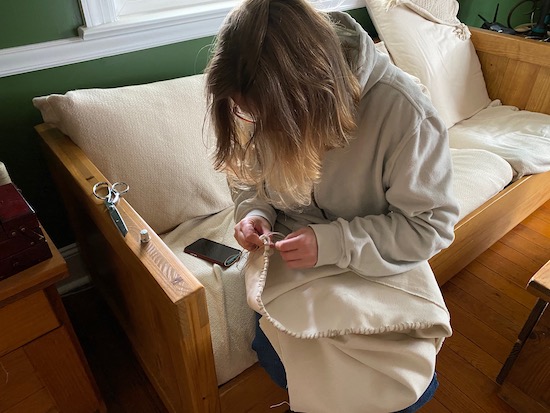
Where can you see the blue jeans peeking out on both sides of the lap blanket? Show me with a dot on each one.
(271, 363)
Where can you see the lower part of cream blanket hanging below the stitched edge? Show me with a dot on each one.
(354, 373)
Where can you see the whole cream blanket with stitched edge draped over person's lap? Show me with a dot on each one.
(350, 343)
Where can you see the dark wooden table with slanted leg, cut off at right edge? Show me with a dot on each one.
(525, 376)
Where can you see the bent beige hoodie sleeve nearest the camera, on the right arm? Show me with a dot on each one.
(422, 211)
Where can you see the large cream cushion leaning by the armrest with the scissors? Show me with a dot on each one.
(152, 136)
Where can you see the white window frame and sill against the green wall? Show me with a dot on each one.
(109, 32)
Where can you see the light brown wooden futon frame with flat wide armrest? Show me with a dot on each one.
(169, 329)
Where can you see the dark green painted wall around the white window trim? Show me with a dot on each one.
(34, 21)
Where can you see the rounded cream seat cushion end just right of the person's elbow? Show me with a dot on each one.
(478, 176)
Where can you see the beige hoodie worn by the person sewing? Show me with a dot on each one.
(385, 202)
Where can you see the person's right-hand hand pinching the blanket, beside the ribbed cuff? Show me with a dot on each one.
(299, 249)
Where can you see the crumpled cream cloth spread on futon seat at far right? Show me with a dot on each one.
(520, 137)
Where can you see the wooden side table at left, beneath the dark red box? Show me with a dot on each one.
(42, 366)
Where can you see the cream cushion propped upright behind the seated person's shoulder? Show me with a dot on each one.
(433, 52)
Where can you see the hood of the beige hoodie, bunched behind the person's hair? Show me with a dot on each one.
(366, 62)
